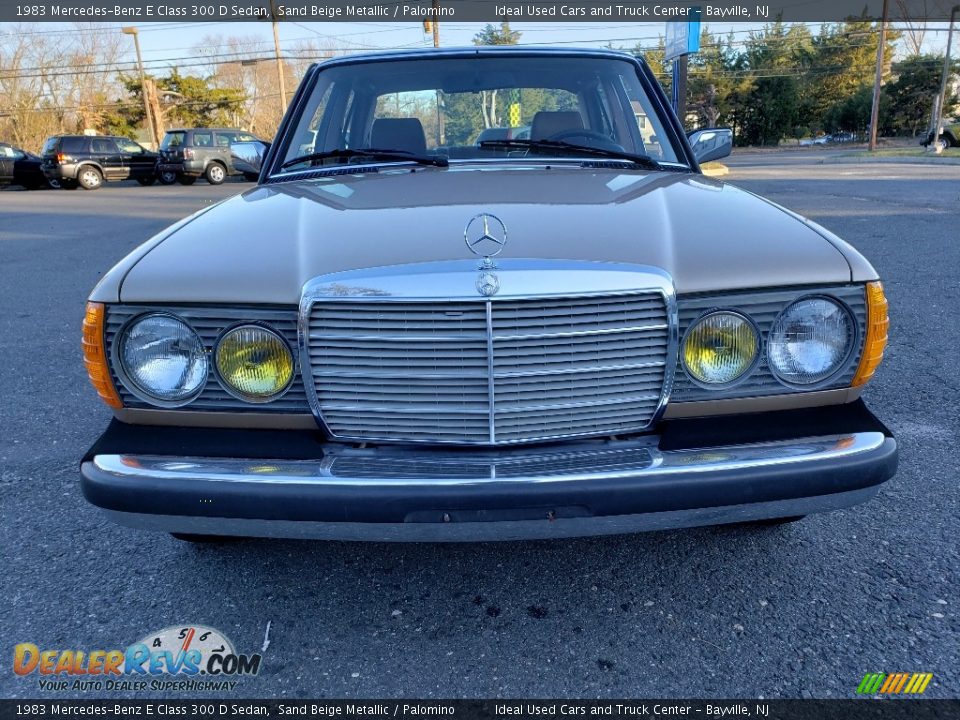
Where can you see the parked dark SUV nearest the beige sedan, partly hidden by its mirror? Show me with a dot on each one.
(188, 153)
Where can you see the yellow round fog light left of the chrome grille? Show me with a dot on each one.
(254, 363)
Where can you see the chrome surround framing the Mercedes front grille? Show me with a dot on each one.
(454, 282)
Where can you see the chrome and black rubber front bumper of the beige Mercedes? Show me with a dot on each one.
(588, 488)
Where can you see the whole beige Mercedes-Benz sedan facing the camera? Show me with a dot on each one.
(405, 334)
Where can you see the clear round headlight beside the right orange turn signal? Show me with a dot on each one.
(810, 340)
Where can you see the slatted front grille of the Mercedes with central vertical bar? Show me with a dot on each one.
(488, 371)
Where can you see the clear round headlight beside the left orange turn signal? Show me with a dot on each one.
(163, 358)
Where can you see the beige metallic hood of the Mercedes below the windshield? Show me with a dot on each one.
(263, 245)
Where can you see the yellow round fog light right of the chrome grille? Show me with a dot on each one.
(720, 347)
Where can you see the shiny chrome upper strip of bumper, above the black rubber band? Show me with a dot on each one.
(320, 473)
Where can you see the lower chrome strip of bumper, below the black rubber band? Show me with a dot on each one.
(507, 530)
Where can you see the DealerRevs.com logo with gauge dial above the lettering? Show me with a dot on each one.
(182, 657)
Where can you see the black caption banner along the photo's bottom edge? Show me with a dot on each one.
(864, 709)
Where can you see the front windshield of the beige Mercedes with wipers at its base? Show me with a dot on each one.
(477, 108)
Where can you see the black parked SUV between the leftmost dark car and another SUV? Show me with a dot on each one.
(89, 160)
